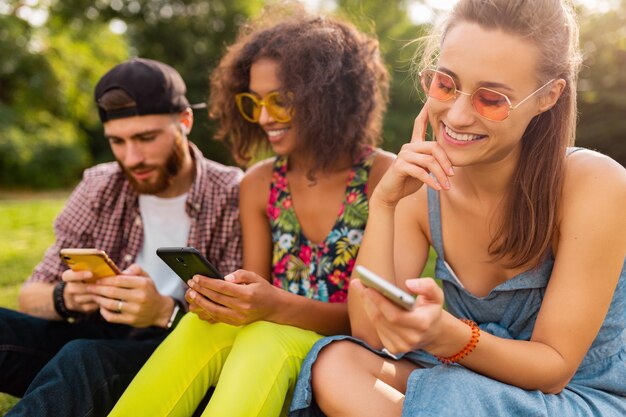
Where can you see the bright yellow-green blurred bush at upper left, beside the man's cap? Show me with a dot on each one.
(46, 78)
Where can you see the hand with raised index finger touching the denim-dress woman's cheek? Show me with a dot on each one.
(413, 167)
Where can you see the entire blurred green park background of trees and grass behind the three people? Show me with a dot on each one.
(52, 52)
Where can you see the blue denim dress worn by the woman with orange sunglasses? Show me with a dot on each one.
(509, 311)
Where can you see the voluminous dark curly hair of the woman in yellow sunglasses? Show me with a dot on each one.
(335, 72)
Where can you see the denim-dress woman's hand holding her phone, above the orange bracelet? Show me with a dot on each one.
(400, 330)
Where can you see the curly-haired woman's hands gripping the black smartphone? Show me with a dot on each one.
(242, 297)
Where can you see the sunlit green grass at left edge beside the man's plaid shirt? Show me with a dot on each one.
(25, 233)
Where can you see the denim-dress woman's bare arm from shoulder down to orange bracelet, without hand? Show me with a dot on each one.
(587, 267)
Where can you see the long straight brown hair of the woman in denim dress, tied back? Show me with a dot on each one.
(529, 222)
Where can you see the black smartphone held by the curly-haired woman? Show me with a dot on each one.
(187, 262)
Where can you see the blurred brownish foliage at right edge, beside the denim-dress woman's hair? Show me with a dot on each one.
(602, 86)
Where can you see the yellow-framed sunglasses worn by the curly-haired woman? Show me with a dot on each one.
(277, 104)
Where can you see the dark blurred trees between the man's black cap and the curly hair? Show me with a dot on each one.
(189, 35)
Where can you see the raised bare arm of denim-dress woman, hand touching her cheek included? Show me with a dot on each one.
(387, 236)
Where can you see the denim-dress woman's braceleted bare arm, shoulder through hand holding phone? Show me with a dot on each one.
(588, 262)
